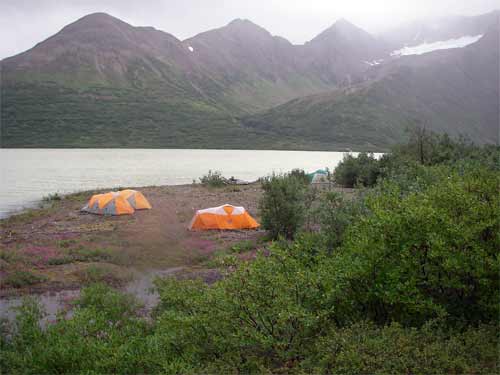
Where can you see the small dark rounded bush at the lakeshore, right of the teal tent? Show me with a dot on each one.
(361, 170)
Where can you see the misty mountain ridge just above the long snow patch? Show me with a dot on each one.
(440, 29)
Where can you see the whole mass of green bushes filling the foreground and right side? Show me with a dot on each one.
(401, 277)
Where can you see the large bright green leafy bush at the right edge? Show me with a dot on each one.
(426, 254)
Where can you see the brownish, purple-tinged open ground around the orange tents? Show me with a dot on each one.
(59, 247)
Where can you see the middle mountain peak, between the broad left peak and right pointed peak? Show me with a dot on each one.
(252, 69)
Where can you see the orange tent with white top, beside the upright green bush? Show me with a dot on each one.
(223, 217)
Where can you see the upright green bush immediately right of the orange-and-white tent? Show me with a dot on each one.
(282, 205)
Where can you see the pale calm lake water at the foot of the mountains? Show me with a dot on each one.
(27, 175)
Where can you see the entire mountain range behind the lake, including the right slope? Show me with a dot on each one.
(101, 82)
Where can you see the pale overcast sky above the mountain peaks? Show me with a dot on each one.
(23, 23)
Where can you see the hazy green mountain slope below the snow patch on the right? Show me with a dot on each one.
(453, 91)
